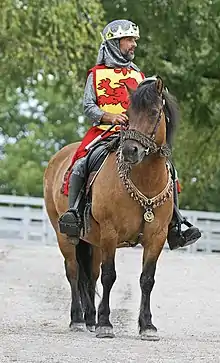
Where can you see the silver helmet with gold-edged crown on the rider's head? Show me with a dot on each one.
(119, 29)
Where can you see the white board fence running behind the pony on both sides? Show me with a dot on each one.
(25, 219)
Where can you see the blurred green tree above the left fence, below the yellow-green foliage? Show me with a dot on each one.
(48, 119)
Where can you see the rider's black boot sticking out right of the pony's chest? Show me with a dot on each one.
(177, 238)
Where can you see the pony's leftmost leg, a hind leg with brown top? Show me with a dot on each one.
(71, 266)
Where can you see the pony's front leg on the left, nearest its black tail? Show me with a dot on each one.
(104, 328)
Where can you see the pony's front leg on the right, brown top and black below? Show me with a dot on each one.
(150, 256)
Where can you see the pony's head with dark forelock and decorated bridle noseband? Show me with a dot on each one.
(153, 115)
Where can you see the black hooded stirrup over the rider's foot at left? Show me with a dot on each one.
(70, 223)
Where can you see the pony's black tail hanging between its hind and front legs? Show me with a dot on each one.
(86, 283)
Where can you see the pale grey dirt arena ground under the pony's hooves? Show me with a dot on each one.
(35, 303)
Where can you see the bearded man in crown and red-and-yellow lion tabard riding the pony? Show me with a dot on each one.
(105, 103)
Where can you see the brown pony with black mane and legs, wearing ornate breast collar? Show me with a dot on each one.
(131, 199)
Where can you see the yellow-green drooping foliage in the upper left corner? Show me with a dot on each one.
(52, 36)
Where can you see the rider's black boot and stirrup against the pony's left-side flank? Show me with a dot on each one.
(70, 222)
